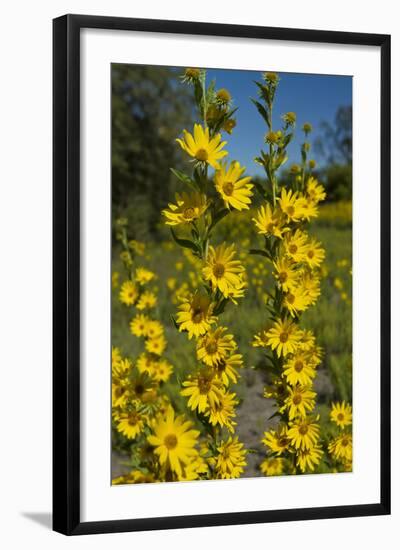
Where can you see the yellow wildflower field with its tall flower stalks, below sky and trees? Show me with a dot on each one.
(232, 322)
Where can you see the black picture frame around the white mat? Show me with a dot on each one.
(66, 273)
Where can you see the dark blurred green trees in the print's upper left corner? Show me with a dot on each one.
(149, 109)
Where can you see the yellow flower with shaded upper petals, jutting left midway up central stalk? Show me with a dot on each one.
(195, 315)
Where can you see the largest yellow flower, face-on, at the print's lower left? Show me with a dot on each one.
(173, 441)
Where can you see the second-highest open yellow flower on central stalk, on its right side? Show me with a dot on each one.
(234, 190)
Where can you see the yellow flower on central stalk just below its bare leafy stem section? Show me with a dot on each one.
(222, 270)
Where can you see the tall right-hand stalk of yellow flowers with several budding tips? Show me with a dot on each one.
(295, 257)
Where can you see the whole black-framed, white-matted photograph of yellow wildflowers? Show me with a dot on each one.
(221, 274)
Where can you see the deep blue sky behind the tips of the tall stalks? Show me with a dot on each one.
(314, 98)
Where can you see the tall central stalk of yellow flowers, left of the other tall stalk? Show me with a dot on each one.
(220, 279)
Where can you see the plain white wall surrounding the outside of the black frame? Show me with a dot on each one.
(25, 271)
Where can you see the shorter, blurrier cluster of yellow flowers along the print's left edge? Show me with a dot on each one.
(165, 443)
